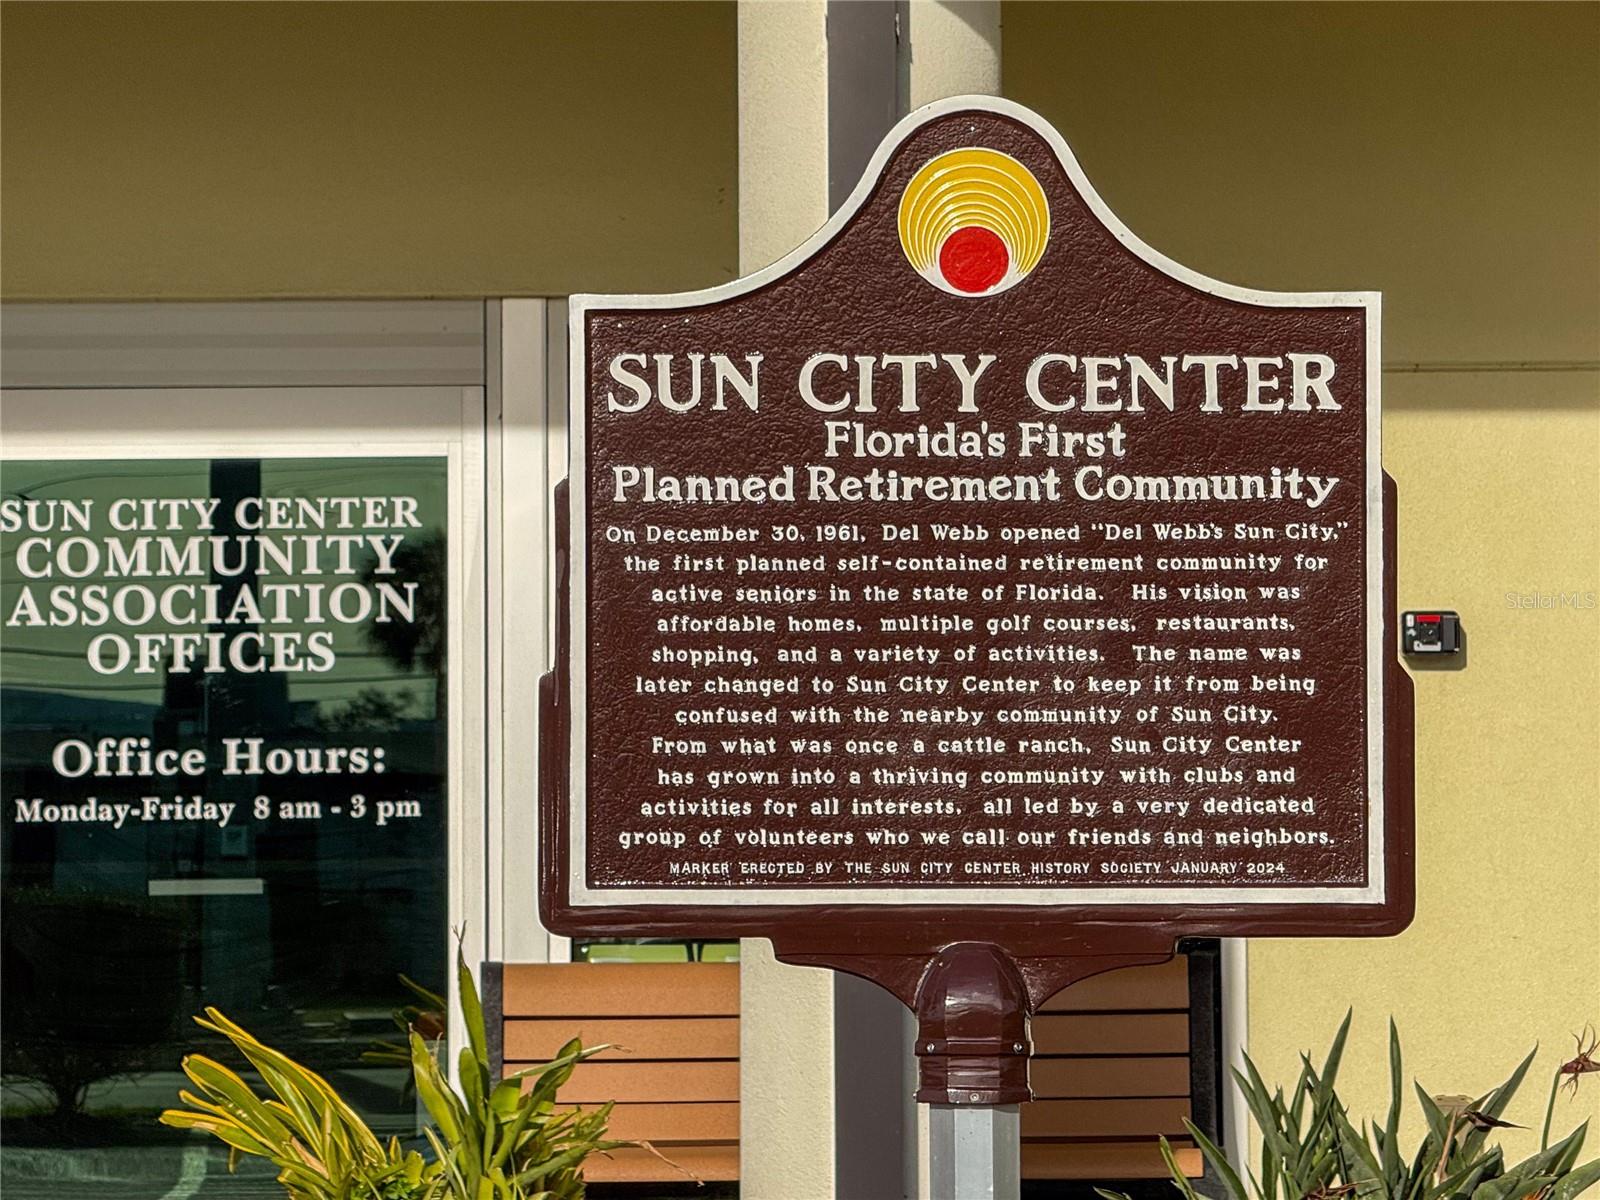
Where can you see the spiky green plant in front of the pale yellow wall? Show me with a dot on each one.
(1313, 1151)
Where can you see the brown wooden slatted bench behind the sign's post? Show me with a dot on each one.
(1113, 1068)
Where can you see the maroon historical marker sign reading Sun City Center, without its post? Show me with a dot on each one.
(977, 554)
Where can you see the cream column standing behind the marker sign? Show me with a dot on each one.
(793, 111)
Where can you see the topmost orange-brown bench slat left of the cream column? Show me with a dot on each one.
(639, 990)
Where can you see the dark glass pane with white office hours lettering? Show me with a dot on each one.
(225, 769)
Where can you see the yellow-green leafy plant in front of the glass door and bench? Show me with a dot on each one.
(492, 1140)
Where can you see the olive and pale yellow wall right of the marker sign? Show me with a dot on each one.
(1449, 158)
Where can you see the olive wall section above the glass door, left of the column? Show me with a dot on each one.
(233, 151)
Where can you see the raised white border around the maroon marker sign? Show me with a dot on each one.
(582, 895)
